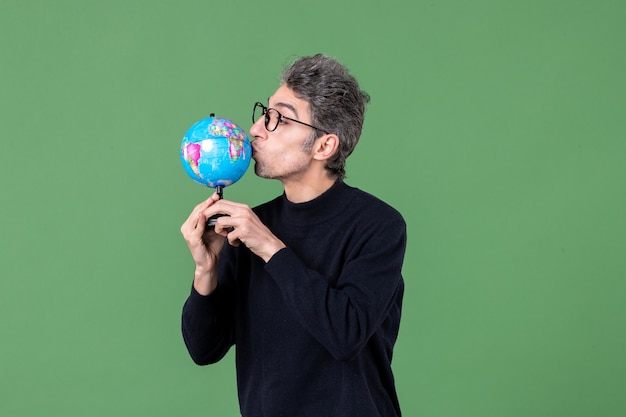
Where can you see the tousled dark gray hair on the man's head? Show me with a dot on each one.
(337, 103)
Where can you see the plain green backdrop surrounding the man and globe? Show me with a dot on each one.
(496, 127)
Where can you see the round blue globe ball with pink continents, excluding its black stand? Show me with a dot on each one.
(215, 152)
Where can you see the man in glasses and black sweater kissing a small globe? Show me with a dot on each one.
(308, 286)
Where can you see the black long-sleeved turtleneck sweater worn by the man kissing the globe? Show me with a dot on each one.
(314, 328)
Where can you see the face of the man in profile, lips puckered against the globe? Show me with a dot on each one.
(280, 154)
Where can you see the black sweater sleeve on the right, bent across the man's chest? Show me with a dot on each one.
(343, 312)
